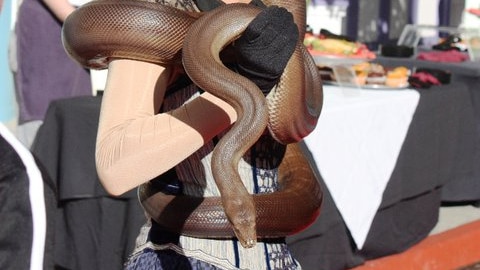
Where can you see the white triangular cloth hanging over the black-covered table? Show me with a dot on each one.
(355, 146)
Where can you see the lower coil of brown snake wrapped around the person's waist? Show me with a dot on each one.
(285, 212)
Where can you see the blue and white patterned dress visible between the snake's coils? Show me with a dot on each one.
(158, 249)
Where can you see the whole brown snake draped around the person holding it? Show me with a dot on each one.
(104, 30)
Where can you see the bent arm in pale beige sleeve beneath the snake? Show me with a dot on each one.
(134, 144)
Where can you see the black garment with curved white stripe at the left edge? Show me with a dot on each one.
(27, 209)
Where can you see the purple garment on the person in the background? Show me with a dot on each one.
(45, 71)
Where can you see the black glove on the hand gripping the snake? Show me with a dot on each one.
(263, 50)
